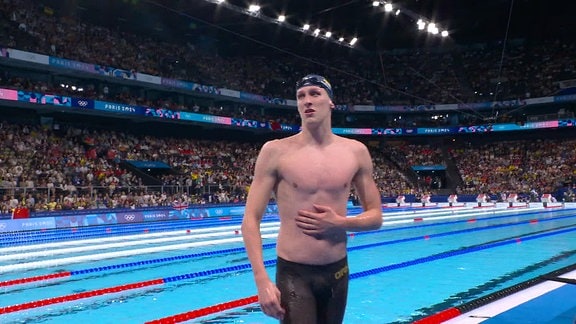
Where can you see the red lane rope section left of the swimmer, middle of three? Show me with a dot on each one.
(87, 294)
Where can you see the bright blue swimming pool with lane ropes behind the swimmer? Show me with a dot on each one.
(420, 262)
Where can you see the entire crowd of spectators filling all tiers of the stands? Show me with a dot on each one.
(76, 167)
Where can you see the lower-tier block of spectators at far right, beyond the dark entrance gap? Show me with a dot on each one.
(528, 166)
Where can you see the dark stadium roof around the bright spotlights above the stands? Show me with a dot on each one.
(240, 32)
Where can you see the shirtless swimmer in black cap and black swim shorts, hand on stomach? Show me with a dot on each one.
(311, 175)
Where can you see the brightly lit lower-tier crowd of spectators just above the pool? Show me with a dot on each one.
(74, 168)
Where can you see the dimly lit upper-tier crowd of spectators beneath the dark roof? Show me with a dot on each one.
(412, 77)
